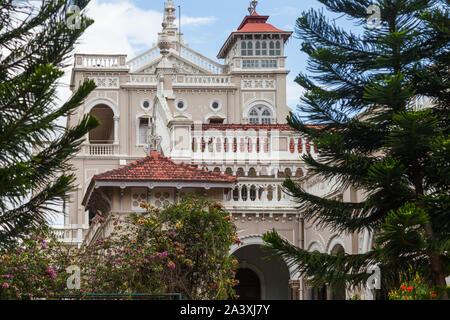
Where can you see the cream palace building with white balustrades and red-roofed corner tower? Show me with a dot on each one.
(175, 122)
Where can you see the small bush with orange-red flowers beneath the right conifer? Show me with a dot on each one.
(415, 288)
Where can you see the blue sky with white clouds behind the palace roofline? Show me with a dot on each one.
(131, 27)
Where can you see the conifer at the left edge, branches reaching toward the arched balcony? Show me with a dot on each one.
(36, 38)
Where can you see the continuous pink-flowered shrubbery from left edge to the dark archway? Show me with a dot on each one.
(182, 248)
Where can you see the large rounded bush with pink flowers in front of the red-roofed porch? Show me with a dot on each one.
(182, 248)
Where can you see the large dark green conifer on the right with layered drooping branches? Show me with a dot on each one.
(361, 95)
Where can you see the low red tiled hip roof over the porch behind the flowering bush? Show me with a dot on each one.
(156, 167)
